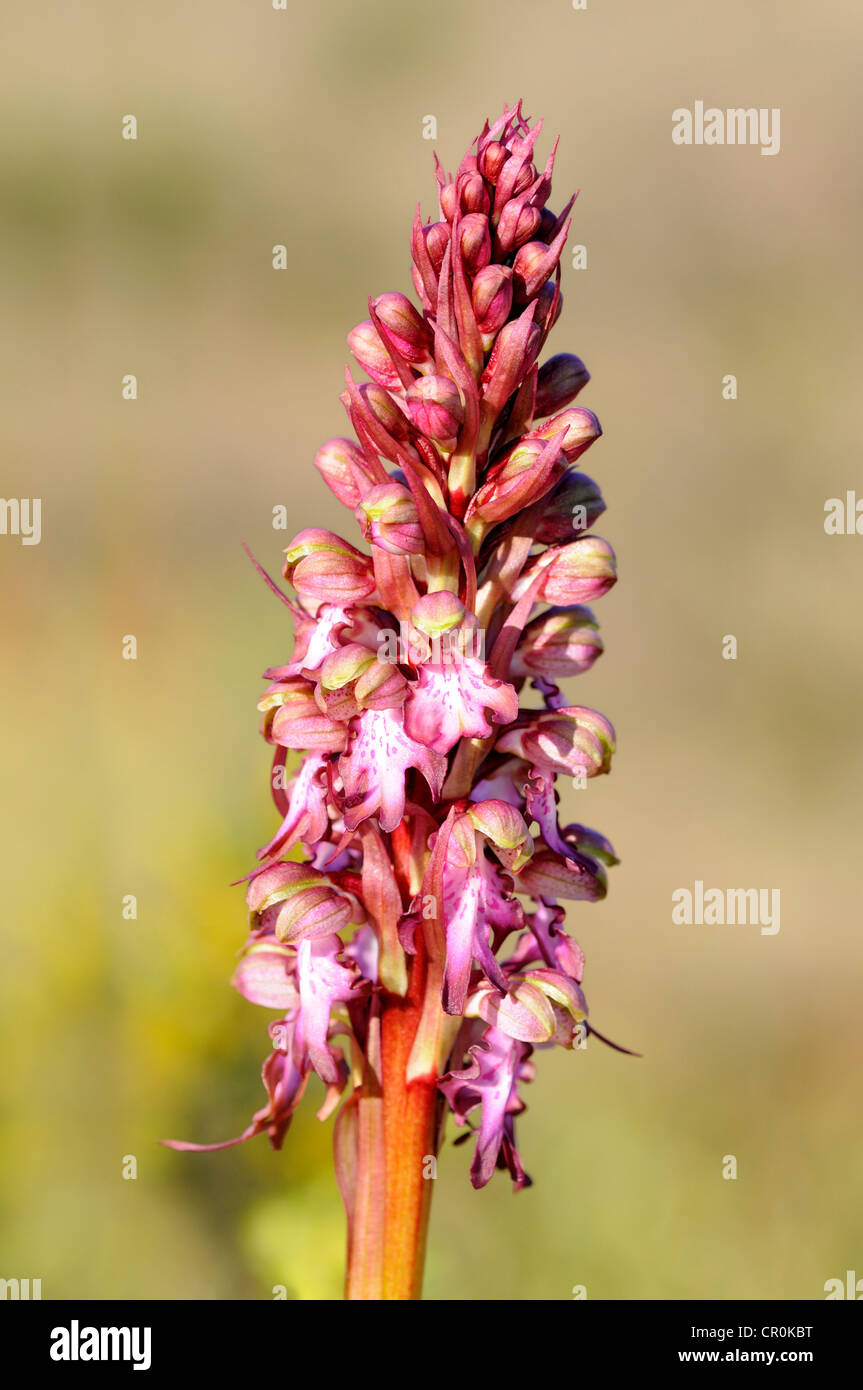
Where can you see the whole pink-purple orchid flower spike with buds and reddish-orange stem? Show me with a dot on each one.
(418, 951)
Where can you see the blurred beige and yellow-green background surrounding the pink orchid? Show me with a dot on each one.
(148, 778)
